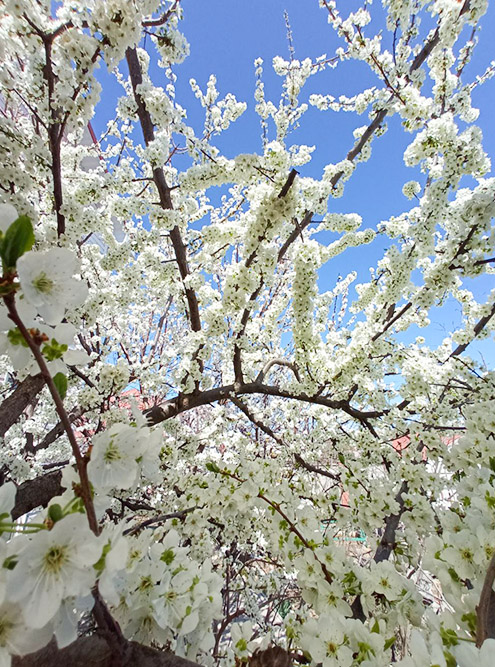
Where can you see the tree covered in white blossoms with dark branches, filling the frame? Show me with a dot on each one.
(209, 518)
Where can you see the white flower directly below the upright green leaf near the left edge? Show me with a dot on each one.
(47, 282)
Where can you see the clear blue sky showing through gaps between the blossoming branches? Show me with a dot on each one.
(226, 36)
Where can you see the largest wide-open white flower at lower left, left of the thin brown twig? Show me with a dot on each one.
(54, 565)
